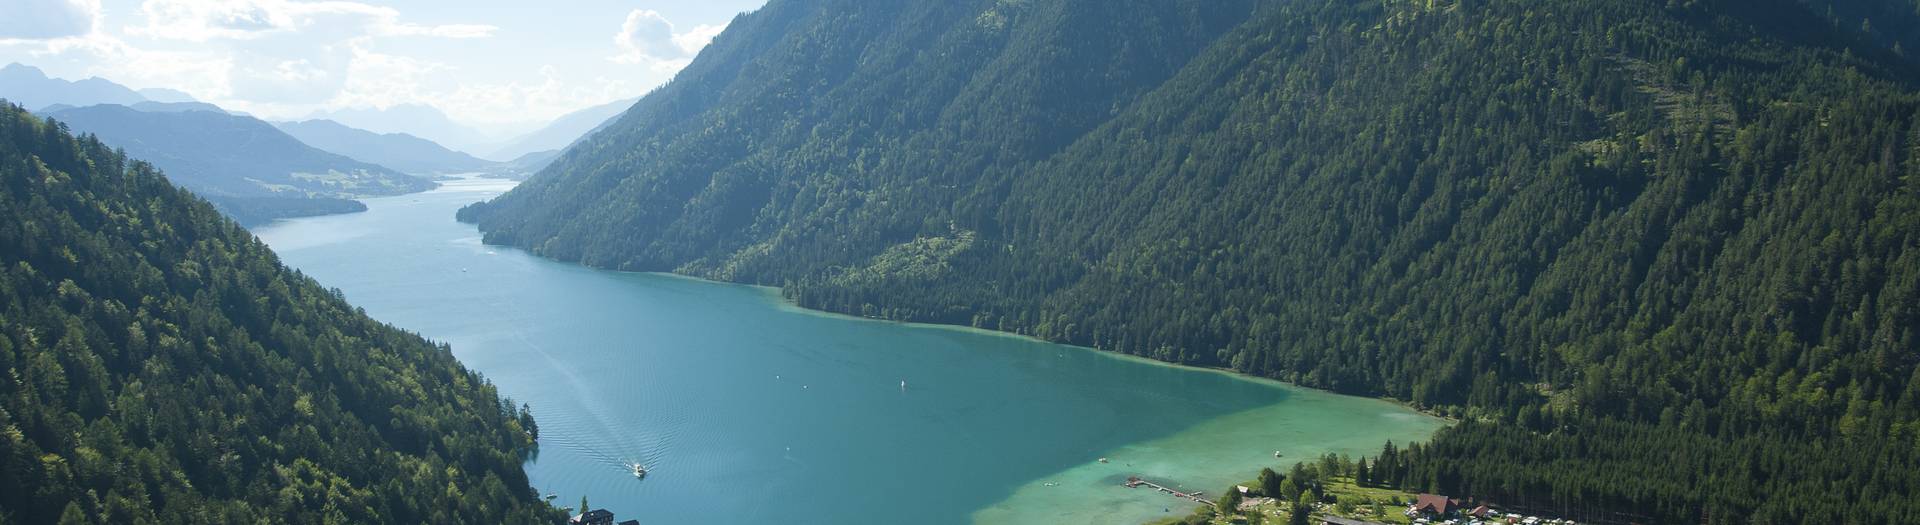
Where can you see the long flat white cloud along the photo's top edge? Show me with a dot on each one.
(206, 20)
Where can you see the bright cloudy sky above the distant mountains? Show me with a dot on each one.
(489, 64)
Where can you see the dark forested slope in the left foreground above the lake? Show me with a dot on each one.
(162, 366)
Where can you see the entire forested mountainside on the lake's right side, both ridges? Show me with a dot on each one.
(1664, 259)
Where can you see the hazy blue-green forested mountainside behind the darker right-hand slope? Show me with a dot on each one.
(890, 109)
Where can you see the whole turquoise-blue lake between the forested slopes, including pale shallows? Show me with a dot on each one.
(750, 411)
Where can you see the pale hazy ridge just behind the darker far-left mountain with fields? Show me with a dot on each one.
(398, 151)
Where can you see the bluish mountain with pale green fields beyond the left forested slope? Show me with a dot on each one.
(243, 164)
